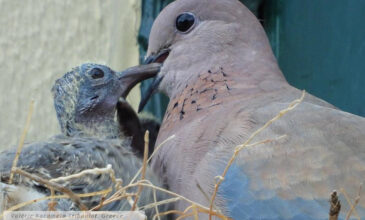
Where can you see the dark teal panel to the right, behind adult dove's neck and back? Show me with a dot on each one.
(320, 45)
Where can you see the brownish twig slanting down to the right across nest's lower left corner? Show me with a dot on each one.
(55, 186)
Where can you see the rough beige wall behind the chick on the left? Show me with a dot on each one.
(40, 40)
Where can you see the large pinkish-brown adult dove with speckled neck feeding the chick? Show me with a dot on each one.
(224, 83)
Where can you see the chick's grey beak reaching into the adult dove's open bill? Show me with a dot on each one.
(131, 76)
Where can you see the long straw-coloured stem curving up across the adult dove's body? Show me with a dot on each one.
(292, 106)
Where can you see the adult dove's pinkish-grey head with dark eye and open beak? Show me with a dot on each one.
(193, 36)
